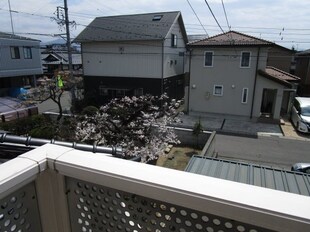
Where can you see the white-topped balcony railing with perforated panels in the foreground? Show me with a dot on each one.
(54, 188)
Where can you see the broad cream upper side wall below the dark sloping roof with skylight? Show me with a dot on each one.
(123, 59)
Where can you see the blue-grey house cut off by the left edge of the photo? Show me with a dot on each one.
(20, 62)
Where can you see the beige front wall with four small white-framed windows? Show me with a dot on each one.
(226, 72)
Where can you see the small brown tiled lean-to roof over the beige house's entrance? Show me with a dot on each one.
(279, 76)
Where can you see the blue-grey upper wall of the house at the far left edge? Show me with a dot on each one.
(19, 67)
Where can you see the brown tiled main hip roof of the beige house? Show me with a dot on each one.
(231, 38)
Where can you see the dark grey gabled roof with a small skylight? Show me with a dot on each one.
(151, 26)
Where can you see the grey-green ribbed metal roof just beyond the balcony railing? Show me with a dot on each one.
(267, 177)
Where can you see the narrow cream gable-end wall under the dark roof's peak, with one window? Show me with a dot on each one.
(173, 60)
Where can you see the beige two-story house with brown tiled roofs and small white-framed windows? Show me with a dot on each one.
(229, 76)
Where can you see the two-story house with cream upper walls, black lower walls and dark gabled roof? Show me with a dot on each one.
(134, 55)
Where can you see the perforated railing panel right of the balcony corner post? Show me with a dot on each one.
(98, 208)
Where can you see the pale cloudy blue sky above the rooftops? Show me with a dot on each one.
(286, 22)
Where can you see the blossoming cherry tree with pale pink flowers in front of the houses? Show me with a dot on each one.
(137, 124)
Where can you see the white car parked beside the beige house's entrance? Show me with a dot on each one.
(300, 115)
